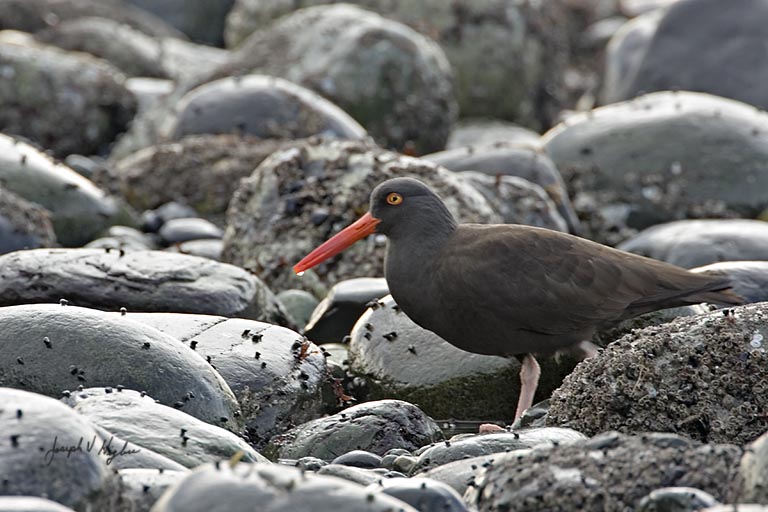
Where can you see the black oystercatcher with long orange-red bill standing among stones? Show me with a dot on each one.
(510, 290)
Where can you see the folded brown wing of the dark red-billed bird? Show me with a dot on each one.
(548, 282)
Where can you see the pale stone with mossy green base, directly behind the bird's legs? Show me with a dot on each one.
(392, 353)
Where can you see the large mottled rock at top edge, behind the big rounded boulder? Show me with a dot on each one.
(477, 38)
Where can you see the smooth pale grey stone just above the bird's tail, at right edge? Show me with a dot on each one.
(693, 243)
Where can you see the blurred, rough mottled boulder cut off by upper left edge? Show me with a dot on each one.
(99, 106)
